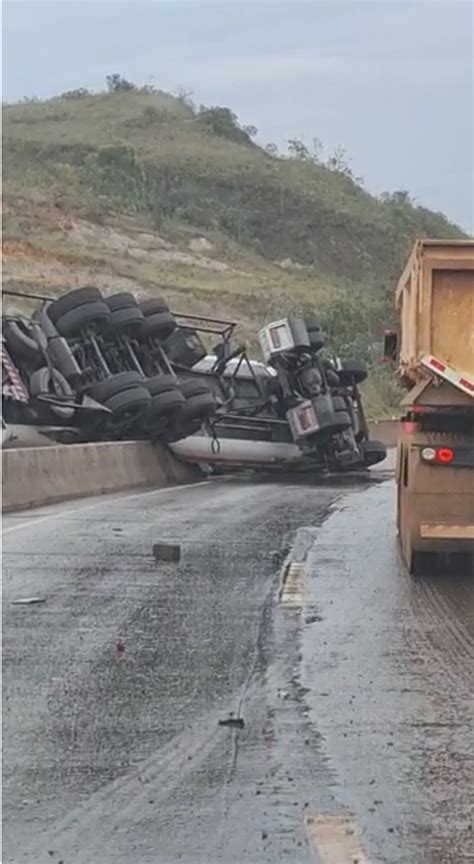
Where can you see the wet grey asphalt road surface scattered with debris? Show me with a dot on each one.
(354, 680)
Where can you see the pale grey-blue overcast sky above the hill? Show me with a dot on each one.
(390, 80)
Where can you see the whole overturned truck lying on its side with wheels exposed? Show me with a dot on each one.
(86, 367)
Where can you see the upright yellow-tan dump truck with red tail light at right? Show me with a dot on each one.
(435, 459)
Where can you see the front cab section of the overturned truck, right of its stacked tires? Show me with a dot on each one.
(297, 408)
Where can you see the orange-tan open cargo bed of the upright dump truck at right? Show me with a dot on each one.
(435, 300)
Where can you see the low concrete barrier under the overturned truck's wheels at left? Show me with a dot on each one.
(33, 476)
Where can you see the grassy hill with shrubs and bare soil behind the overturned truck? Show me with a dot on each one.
(138, 189)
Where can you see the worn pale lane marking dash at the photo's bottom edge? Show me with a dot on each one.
(335, 837)
